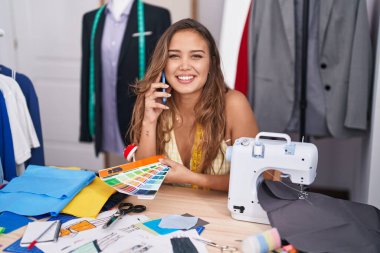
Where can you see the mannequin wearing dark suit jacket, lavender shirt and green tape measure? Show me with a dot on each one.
(99, 37)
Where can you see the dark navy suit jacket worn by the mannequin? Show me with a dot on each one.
(156, 21)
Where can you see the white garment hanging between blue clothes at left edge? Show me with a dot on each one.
(23, 133)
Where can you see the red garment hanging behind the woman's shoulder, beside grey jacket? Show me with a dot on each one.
(241, 80)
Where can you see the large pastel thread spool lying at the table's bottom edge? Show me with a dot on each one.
(262, 243)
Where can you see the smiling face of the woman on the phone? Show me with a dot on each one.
(188, 62)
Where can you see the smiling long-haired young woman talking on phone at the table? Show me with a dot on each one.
(201, 115)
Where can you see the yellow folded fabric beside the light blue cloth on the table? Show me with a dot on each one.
(90, 200)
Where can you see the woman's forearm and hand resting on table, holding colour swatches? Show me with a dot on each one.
(179, 174)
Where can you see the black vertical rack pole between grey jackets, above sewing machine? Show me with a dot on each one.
(303, 93)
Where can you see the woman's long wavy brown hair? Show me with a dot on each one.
(210, 109)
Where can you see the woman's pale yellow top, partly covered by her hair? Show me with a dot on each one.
(220, 166)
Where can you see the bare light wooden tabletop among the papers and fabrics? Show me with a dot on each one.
(211, 206)
